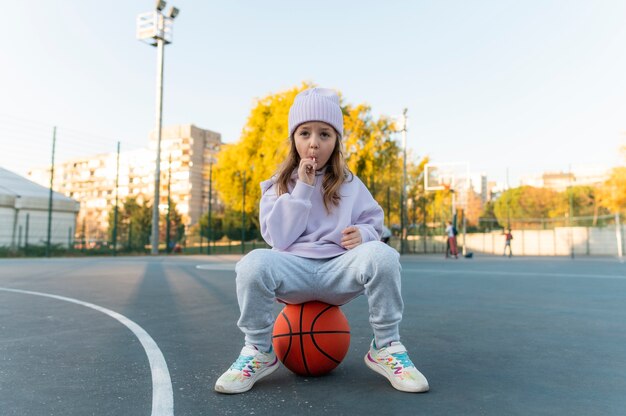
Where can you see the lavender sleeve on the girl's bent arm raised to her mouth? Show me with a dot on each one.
(283, 219)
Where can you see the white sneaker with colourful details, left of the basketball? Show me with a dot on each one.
(251, 366)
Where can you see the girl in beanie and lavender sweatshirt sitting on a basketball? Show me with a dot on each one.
(324, 228)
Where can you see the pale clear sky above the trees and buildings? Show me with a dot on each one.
(504, 85)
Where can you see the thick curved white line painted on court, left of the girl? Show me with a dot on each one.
(162, 395)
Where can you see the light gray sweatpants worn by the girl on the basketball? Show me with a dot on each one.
(373, 268)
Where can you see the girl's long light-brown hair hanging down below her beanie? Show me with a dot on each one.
(336, 173)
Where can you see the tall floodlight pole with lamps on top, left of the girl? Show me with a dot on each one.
(156, 29)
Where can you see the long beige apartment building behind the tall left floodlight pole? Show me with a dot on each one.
(187, 153)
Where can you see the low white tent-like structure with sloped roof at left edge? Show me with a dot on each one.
(24, 213)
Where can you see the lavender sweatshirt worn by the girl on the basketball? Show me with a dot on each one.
(297, 221)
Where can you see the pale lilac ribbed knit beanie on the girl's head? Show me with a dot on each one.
(316, 104)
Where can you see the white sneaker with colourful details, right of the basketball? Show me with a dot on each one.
(394, 363)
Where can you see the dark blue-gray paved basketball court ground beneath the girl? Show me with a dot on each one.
(494, 336)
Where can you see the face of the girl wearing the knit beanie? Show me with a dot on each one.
(315, 139)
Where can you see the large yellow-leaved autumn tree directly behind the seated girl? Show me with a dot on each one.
(370, 146)
